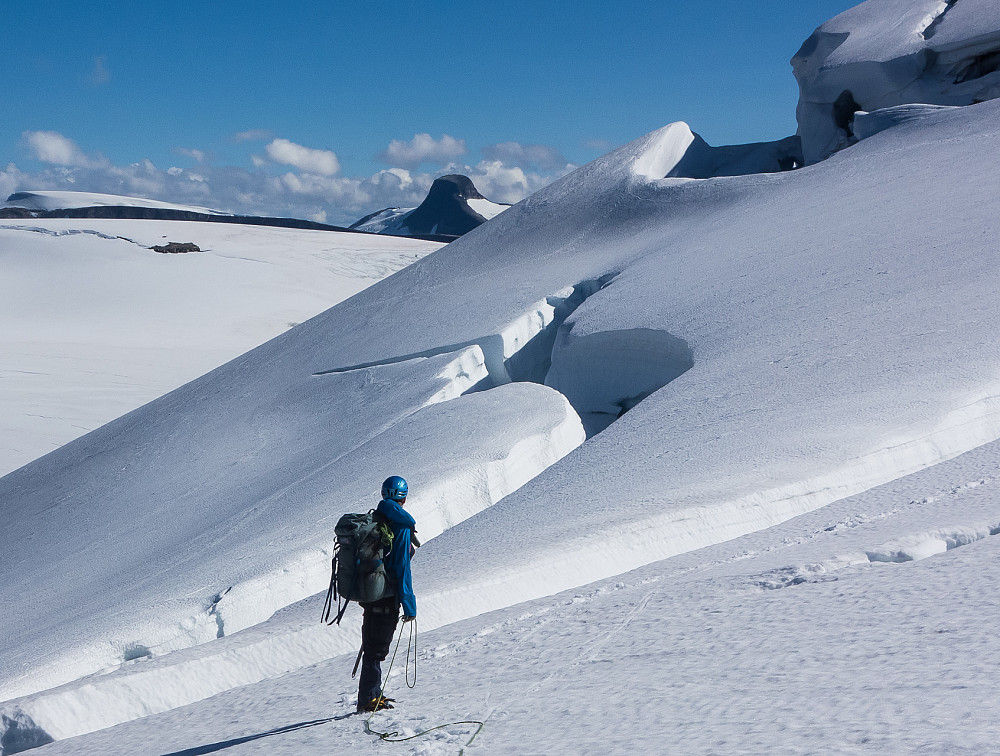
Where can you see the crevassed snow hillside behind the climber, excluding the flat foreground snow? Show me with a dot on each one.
(822, 357)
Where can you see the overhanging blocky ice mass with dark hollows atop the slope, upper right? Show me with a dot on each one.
(885, 53)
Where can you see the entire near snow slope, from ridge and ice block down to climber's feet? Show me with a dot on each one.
(705, 458)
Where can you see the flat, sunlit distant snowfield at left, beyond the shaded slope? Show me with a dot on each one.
(96, 324)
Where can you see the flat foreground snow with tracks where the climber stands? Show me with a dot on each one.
(693, 654)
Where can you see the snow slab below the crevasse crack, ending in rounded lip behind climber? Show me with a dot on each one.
(251, 540)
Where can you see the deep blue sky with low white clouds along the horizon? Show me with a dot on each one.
(316, 109)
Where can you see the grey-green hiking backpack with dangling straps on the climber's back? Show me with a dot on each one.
(358, 572)
